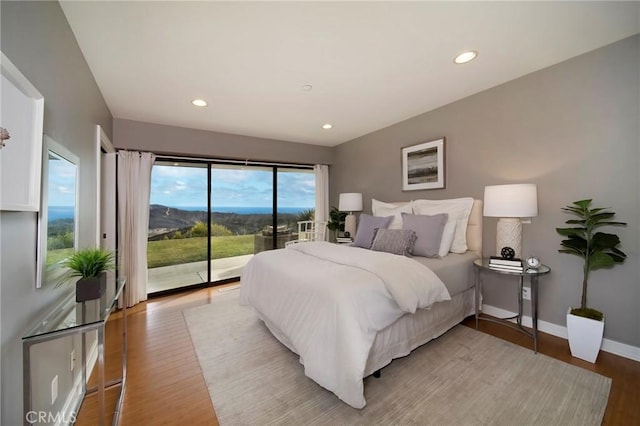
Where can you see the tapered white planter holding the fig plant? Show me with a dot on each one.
(585, 336)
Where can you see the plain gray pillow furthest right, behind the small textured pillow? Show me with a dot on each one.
(428, 231)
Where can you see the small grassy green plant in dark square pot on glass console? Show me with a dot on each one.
(90, 266)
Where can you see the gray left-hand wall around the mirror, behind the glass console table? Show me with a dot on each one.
(35, 36)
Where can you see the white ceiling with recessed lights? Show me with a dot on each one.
(371, 64)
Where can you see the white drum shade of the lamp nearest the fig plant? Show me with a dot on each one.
(517, 200)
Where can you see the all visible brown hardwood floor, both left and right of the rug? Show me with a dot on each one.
(165, 385)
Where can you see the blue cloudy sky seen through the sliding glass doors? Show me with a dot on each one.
(178, 186)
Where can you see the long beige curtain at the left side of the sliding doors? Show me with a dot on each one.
(134, 189)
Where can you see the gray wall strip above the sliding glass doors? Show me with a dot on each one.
(163, 139)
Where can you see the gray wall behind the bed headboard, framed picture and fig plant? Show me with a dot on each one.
(572, 129)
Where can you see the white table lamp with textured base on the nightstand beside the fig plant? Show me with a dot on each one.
(510, 203)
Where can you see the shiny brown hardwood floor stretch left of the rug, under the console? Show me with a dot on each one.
(164, 383)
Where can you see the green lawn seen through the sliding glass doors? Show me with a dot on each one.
(187, 250)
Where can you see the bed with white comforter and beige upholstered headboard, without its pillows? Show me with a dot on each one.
(349, 311)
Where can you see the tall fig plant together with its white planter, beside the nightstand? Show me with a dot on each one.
(585, 325)
